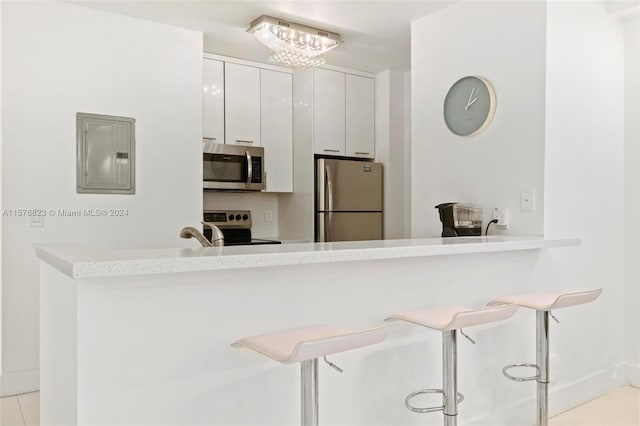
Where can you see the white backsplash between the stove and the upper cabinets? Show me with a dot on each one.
(259, 203)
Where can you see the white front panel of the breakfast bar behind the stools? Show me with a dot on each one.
(155, 349)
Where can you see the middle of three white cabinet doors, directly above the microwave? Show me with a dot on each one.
(242, 104)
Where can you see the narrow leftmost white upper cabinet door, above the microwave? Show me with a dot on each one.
(213, 101)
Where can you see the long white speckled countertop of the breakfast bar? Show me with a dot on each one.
(76, 267)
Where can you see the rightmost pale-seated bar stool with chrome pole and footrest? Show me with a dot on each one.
(543, 304)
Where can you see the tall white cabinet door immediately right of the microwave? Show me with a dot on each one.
(276, 110)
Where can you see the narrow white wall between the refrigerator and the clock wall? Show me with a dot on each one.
(391, 145)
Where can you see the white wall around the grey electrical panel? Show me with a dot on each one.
(59, 59)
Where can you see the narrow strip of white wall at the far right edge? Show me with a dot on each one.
(632, 197)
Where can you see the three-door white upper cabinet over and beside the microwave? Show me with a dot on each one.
(251, 104)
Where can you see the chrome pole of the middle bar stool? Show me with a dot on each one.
(450, 377)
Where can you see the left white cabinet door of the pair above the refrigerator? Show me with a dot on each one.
(328, 112)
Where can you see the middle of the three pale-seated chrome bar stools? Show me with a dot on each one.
(448, 320)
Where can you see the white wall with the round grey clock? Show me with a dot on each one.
(505, 43)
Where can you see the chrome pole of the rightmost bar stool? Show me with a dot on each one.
(542, 360)
